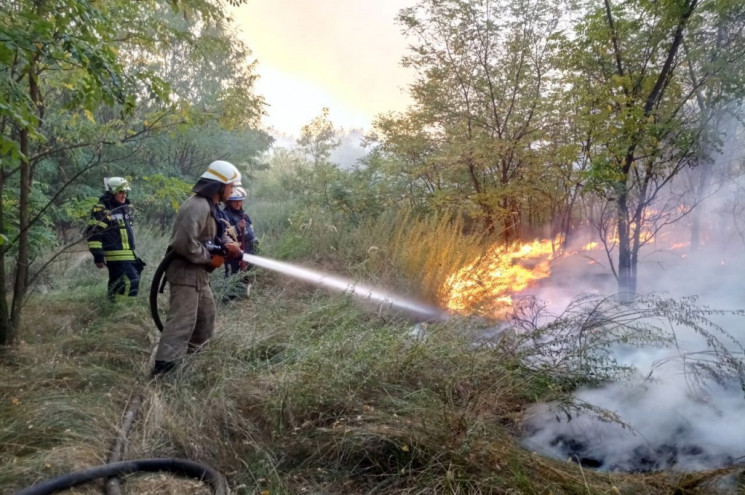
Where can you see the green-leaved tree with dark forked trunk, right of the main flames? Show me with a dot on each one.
(627, 67)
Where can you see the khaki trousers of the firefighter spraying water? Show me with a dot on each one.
(190, 323)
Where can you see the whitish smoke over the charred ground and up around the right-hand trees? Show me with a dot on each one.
(676, 412)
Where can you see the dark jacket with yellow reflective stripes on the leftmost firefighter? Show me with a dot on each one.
(109, 231)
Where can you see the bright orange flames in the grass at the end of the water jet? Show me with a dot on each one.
(492, 279)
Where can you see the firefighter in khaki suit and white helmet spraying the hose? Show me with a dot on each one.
(201, 244)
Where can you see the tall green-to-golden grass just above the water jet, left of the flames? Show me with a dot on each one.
(398, 250)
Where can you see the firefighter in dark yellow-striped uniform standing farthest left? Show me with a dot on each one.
(111, 240)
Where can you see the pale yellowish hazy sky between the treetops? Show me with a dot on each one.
(341, 54)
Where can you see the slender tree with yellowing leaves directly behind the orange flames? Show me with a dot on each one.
(484, 98)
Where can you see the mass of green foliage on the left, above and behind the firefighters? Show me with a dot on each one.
(92, 89)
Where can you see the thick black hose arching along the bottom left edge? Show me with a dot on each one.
(176, 466)
